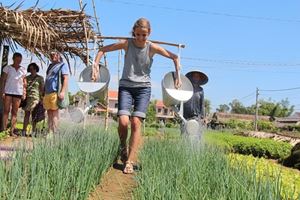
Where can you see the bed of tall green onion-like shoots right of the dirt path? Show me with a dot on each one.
(177, 169)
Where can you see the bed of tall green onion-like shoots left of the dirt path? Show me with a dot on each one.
(66, 167)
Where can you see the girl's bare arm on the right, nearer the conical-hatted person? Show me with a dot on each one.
(161, 51)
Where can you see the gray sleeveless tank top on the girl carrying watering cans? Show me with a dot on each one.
(136, 72)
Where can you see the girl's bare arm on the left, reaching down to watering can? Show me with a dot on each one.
(112, 47)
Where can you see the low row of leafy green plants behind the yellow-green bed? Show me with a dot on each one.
(250, 146)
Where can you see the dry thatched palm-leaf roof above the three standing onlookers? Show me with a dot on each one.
(38, 31)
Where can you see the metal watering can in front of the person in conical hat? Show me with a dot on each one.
(175, 98)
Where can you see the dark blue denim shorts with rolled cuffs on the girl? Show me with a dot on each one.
(138, 97)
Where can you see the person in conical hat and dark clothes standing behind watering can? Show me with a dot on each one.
(194, 108)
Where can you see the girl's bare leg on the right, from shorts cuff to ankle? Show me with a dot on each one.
(135, 137)
